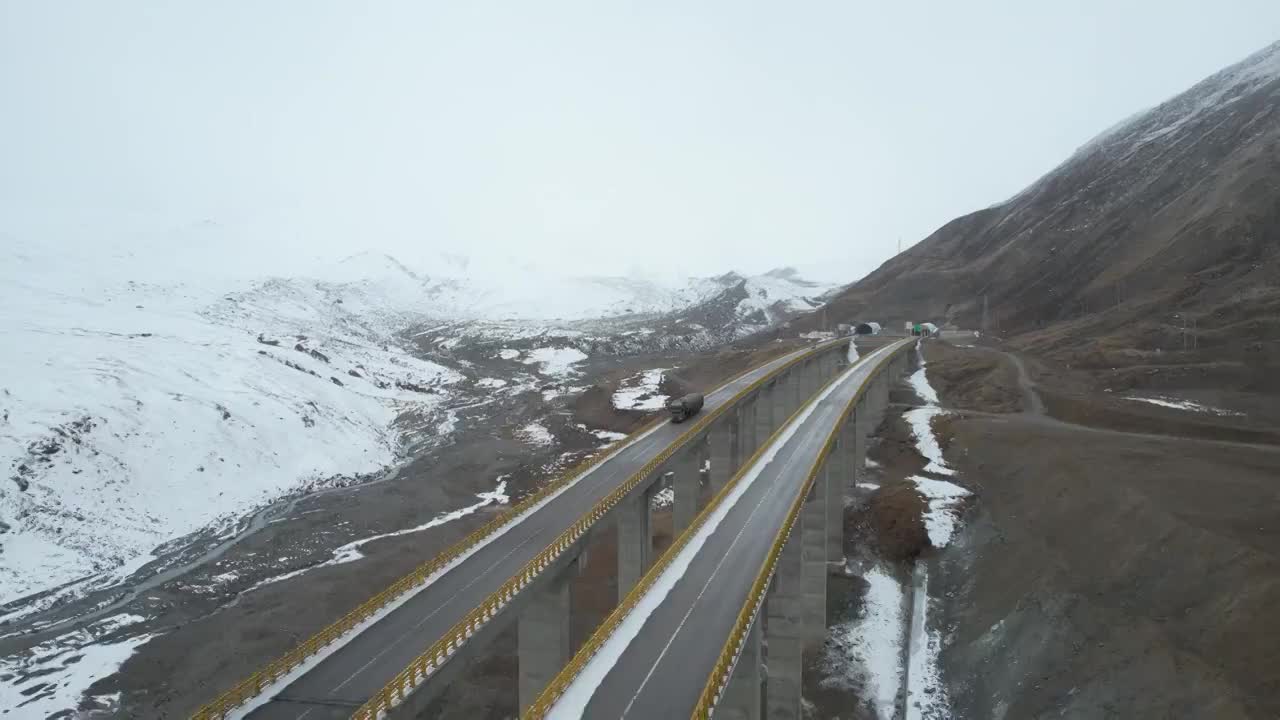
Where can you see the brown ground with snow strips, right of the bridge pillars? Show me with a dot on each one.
(1118, 559)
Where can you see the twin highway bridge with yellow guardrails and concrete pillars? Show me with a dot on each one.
(761, 440)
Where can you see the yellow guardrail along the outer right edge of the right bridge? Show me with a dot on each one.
(728, 660)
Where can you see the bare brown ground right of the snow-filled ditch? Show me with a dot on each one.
(1123, 559)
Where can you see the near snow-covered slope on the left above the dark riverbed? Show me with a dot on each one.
(132, 413)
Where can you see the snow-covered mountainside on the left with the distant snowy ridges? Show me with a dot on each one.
(141, 403)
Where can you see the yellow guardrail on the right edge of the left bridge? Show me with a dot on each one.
(424, 666)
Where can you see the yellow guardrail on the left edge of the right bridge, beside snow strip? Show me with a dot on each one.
(556, 689)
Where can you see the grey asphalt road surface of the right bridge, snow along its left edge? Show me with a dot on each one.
(662, 671)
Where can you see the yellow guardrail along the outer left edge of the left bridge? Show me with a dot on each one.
(253, 686)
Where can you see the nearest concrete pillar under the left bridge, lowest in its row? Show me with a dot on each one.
(543, 636)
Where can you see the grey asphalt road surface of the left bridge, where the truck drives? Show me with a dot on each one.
(341, 682)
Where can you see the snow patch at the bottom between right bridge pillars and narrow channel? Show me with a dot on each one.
(866, 654)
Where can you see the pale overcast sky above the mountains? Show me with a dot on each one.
(598, 138)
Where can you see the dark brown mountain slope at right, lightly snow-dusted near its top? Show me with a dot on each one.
(1169, 220)
